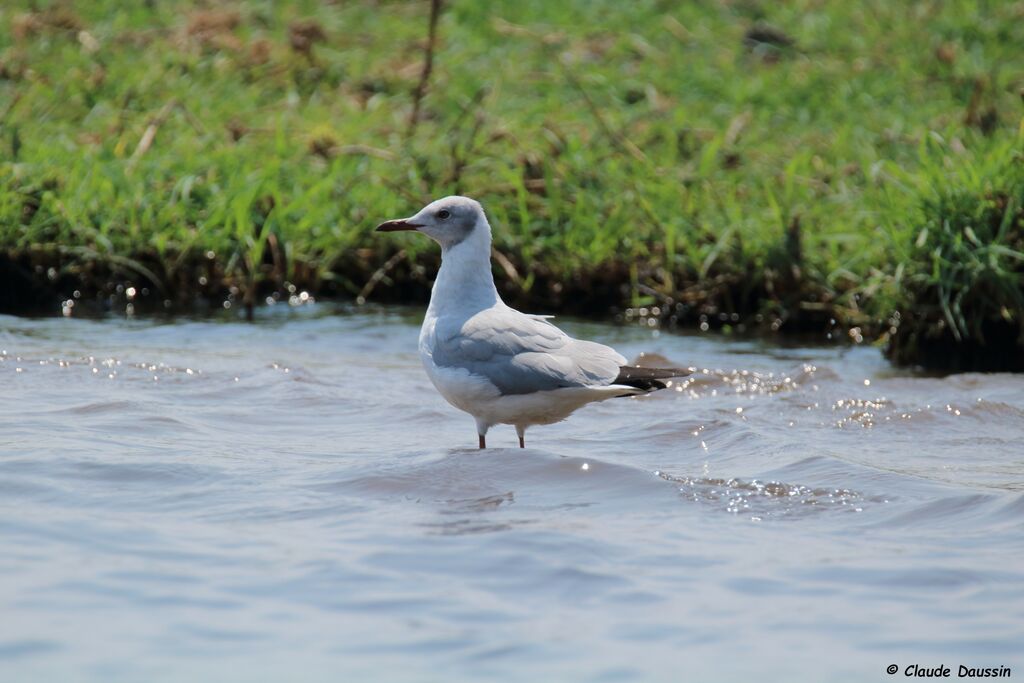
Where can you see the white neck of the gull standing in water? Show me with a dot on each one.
(465, 283)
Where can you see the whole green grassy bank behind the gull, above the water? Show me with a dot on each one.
(719, 160)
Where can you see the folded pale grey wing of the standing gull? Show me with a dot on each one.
(522, 354)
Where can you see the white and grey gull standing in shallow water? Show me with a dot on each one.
(493, 362)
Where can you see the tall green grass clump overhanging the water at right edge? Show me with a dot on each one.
(959, 262)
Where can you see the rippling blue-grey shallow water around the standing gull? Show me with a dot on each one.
(291, 500)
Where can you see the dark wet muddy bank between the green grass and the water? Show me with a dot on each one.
(73, 284)
